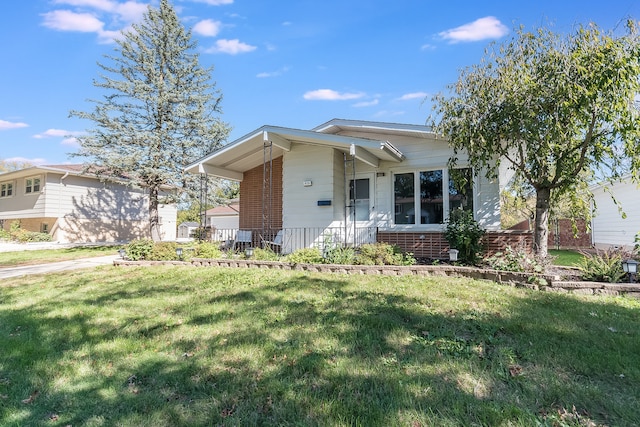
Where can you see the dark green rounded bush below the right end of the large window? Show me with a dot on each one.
(464, 233)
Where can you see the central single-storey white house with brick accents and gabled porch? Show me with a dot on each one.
(352, 182)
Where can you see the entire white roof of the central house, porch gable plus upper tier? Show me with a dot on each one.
(247, 152)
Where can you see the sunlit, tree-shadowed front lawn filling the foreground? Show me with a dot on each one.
(183, 346)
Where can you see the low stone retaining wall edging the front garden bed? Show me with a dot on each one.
(548, 283)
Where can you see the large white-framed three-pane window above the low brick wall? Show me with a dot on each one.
(419, 196)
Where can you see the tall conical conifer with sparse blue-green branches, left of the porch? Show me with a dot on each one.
(159, 113)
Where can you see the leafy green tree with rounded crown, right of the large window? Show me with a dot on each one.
(554, 108)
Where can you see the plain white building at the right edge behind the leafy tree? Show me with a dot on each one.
(609, 228)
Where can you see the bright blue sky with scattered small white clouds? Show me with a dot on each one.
(277, 62)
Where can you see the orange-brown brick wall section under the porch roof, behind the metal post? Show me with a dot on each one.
(251, 197)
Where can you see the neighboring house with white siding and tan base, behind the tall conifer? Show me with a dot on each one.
(74, 206)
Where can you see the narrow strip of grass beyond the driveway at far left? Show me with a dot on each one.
(31, 257)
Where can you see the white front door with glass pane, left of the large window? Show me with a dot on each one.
(361, 210)
